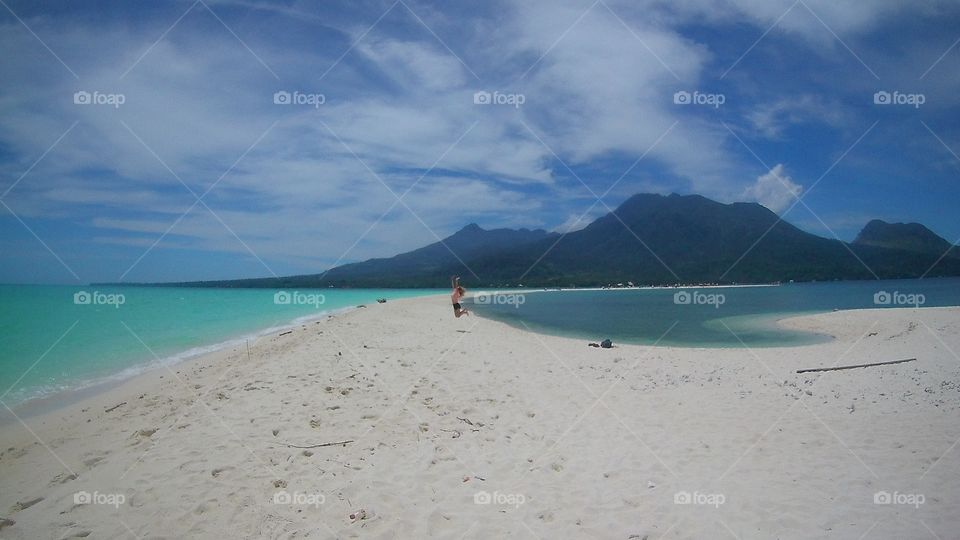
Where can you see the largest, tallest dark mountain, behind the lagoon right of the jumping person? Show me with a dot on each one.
(654, 239)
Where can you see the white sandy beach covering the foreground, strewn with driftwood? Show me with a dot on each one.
(468, 428)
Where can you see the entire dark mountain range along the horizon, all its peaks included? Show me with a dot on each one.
(649, 240)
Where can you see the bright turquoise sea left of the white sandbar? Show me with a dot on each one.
(51, 341)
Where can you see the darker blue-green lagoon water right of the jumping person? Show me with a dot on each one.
(703, 317)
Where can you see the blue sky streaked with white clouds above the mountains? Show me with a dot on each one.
(179, 164)
